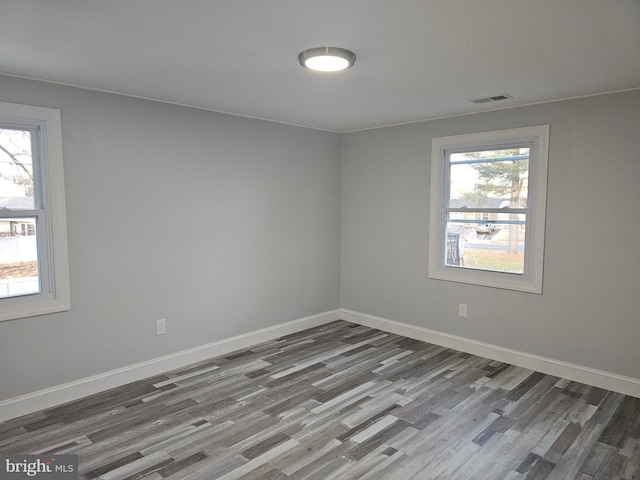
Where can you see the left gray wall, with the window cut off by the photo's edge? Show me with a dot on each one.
(222, 225)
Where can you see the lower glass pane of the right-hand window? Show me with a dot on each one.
(486, 246)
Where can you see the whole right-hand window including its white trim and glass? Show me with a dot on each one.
(488, 200)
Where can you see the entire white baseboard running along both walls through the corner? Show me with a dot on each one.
(50, 397)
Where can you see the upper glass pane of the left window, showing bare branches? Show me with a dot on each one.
(16, 170)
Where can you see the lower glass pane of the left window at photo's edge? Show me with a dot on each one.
(18, 257)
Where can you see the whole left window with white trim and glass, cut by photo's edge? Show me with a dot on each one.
(34, 278)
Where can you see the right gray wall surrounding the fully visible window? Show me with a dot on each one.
(589, 313)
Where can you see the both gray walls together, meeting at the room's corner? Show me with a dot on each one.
(225, 225)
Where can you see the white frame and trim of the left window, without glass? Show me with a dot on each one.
(51, 214)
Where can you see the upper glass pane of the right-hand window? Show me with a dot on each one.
(489, 178)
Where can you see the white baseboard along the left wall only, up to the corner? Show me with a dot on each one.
(50, 397)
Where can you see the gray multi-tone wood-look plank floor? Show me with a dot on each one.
(343, 401)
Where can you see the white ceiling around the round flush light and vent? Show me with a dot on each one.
(416, 59)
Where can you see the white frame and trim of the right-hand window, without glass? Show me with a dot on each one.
(531, 279)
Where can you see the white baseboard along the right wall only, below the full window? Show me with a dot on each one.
(549, 366)
